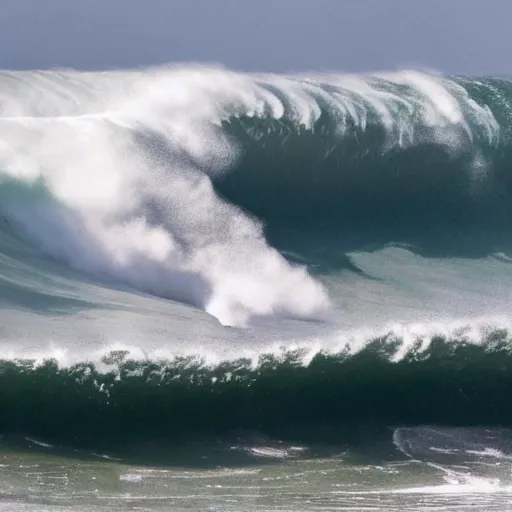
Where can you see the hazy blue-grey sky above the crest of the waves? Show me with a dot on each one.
(457, 36)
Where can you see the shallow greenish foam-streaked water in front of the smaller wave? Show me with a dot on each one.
(277, 477)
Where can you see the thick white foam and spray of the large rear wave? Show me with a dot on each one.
(111, 172)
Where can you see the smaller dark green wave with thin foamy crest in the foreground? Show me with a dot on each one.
(448, 381)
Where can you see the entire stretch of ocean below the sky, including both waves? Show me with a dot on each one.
(228, 291)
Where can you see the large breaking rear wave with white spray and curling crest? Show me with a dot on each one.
(161, 178)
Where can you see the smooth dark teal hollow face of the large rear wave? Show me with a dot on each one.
(394, 171)
